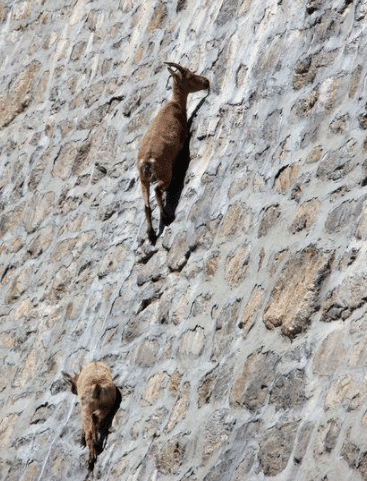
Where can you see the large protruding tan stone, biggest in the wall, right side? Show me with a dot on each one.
(295, 295)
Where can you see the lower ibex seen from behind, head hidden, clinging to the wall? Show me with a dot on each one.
(97, 397)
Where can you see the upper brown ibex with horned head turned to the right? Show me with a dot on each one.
(163, 140)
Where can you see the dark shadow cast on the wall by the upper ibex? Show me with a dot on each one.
(180, 167)
